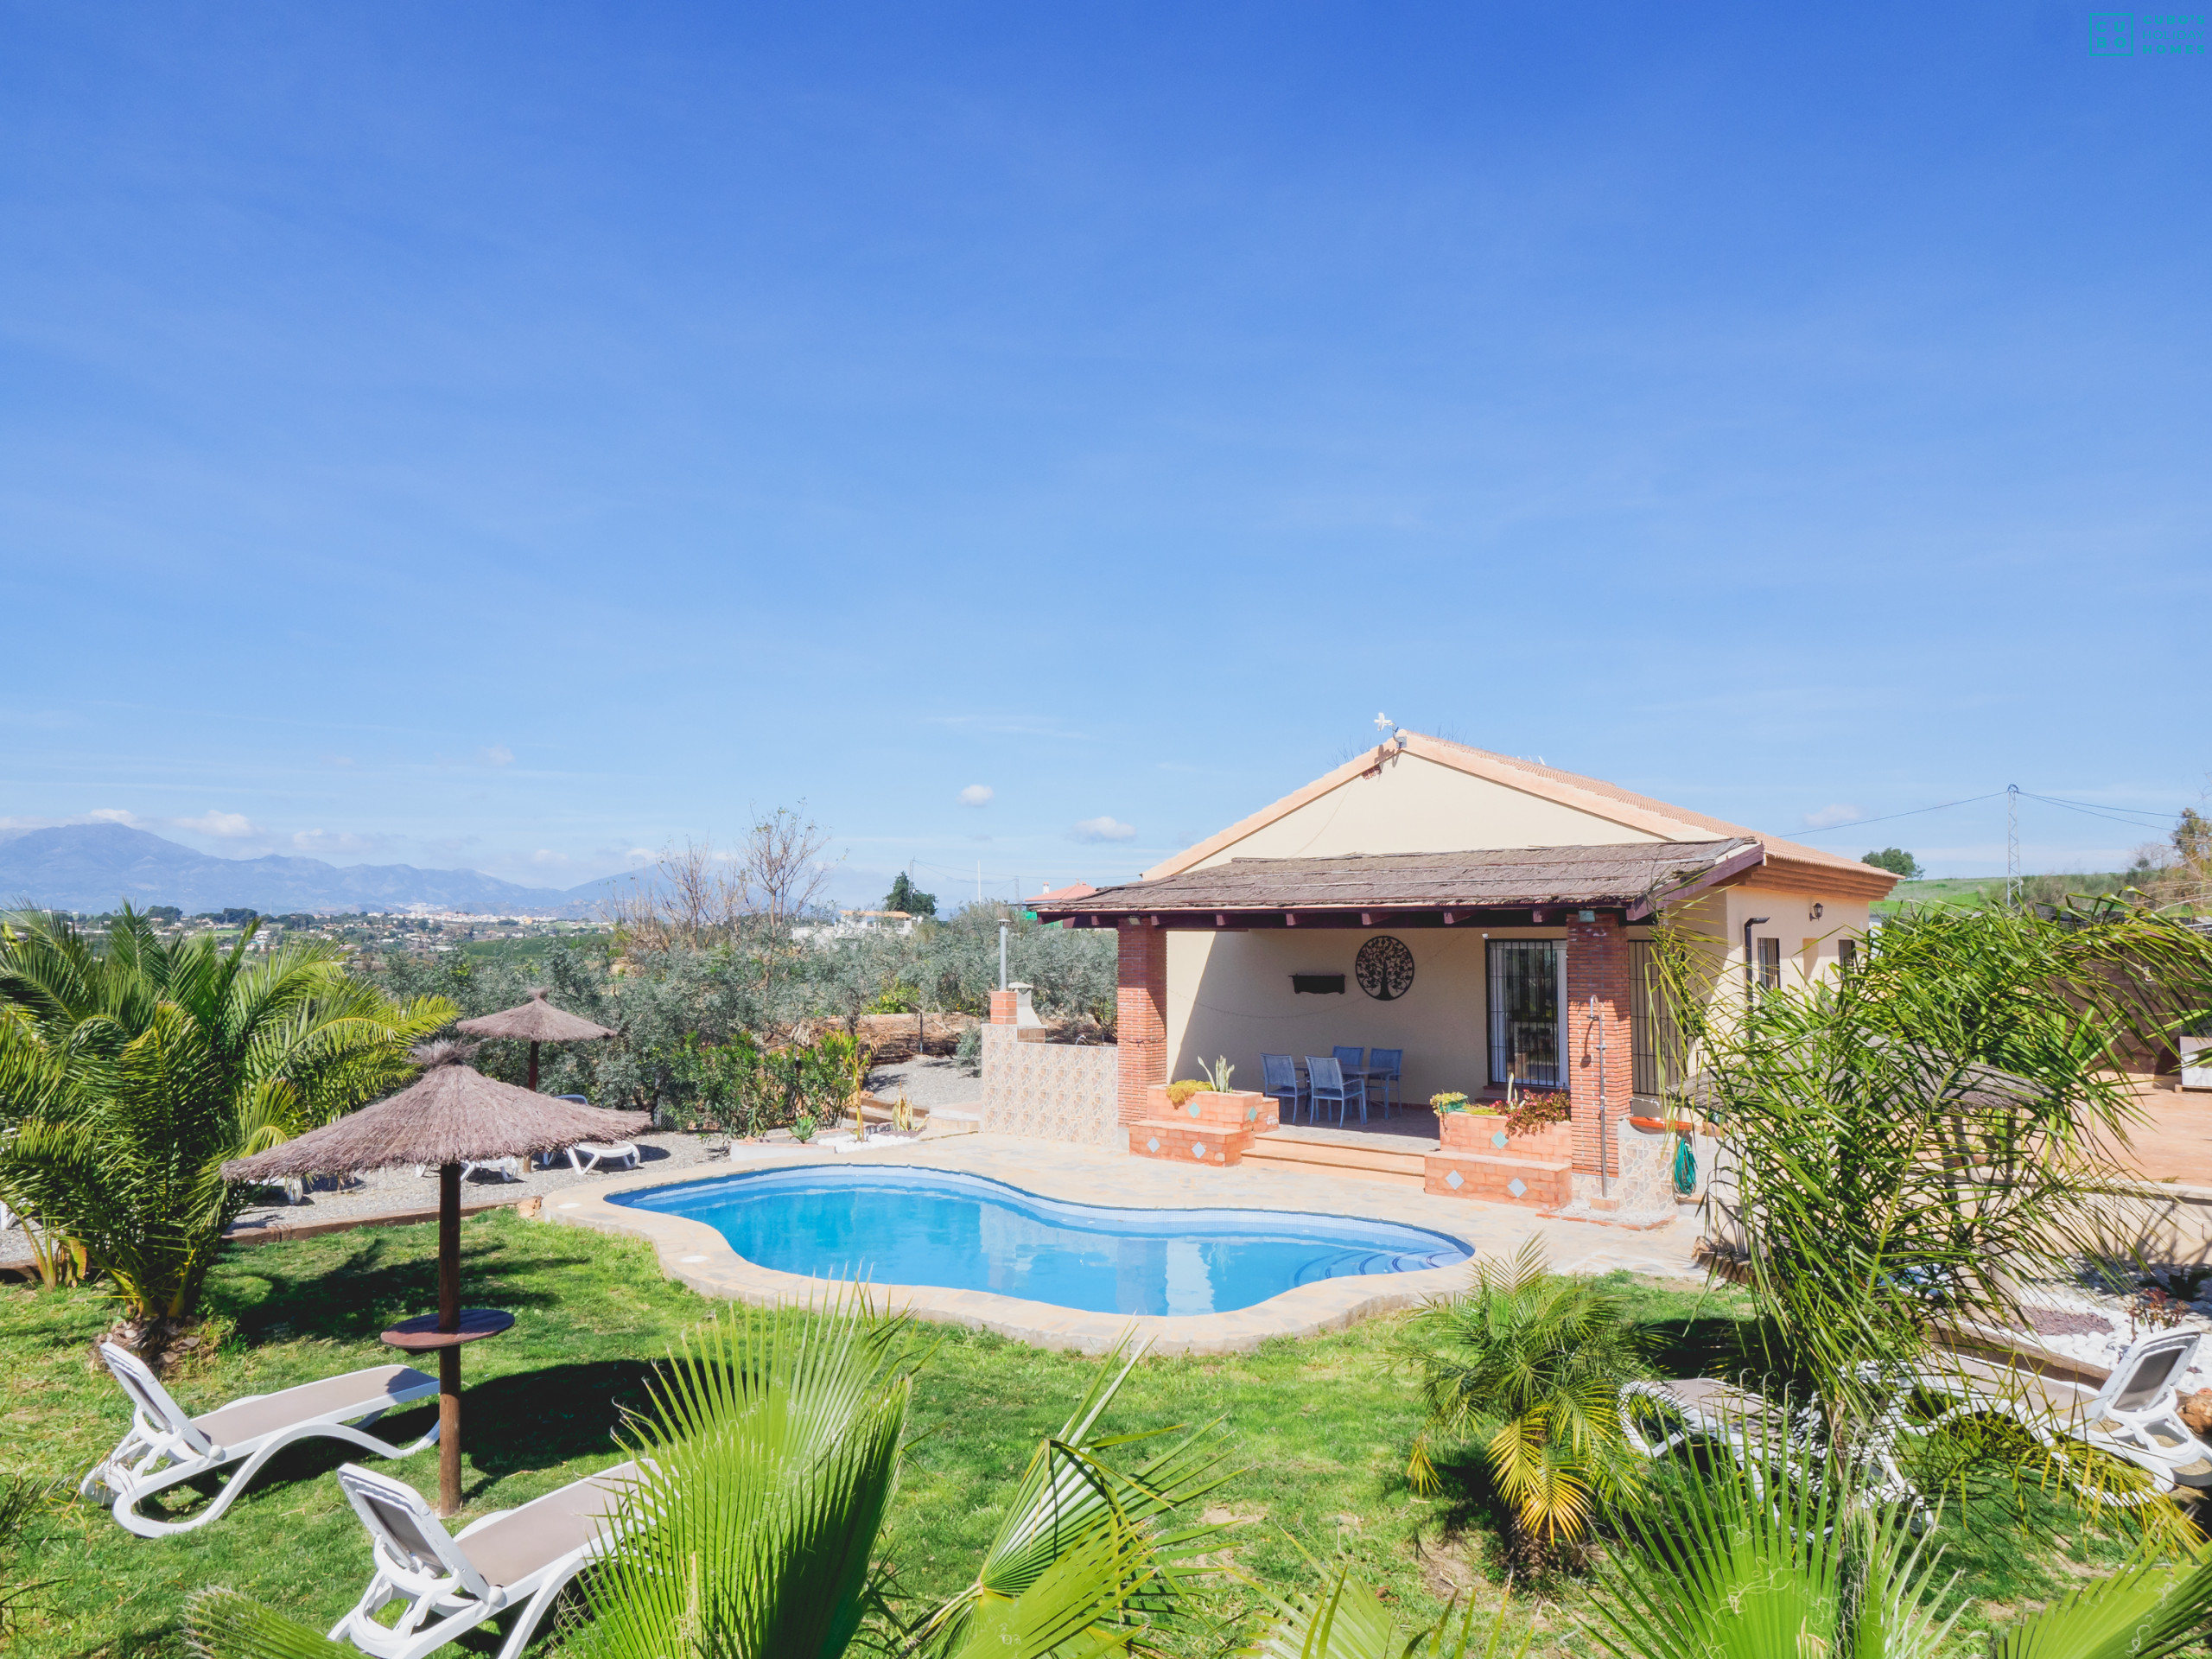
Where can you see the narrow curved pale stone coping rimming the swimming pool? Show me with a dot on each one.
(698, 1258)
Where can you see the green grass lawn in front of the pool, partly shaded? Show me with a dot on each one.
(1319, 1428)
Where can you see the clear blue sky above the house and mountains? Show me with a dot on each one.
(514, 437)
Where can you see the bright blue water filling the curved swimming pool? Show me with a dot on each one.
(968, 1233)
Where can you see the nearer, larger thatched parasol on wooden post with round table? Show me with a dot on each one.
(450, 1116)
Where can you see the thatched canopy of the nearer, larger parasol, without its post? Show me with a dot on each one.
(452, 1114)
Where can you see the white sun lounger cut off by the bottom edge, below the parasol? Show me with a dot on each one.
(455, 1583)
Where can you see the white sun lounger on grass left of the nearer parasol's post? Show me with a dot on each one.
(165, 1448)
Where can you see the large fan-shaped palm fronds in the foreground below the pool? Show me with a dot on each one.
(771, 1457)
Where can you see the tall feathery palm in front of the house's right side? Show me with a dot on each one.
(1926, 1134)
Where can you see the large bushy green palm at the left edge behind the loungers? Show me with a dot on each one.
(132, 1072)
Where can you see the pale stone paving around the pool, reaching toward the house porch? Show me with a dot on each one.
(700, 1258)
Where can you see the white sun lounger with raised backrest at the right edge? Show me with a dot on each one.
(2131, 1417)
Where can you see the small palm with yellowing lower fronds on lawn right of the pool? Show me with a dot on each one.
(1530, 1366)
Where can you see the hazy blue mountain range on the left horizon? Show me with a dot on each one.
(94, 866)
